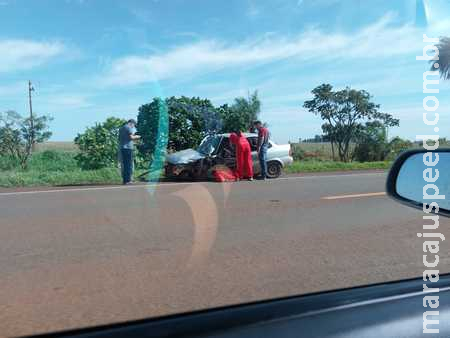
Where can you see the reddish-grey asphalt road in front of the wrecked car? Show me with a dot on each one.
(90, 256)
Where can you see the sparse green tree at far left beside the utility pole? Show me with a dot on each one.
(15, 135)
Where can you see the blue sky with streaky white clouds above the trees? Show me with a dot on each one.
(90, 59)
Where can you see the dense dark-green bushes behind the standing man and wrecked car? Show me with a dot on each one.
(169, 124)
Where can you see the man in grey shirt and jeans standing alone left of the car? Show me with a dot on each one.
(126, 145)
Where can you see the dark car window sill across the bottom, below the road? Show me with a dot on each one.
(383, 310)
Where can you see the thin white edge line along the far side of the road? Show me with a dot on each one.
(141, 186)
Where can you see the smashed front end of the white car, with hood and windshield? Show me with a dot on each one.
(190, 163)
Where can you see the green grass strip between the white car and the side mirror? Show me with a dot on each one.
(320, 166)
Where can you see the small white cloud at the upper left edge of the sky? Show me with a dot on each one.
(25, 54)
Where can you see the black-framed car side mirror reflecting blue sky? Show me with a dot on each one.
(421, 179)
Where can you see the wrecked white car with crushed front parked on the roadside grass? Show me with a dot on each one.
(216, 150)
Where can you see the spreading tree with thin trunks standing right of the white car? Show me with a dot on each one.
(345, 113)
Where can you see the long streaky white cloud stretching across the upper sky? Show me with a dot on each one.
(378, 40)
